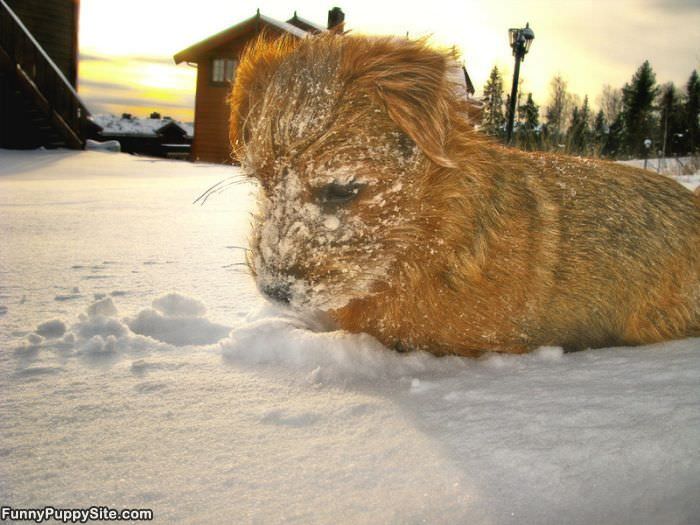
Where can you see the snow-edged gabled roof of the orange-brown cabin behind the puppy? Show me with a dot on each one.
(250, 25)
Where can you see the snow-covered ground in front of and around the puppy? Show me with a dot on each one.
(121, 386)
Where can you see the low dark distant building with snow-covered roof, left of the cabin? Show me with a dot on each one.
(155, 136)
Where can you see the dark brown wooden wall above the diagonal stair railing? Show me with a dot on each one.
(54, 24)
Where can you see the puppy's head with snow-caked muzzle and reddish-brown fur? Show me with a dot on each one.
(341, 155)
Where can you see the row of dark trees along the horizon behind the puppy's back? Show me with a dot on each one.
(641, 118)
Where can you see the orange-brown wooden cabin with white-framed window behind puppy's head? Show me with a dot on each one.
(216, 59)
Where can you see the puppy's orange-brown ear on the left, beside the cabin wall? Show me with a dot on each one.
(258, 62)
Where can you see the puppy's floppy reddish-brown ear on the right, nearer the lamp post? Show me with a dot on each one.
(409, 80)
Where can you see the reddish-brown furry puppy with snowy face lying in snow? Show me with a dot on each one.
(441, 239)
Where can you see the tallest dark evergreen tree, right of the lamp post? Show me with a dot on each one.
(638, 98)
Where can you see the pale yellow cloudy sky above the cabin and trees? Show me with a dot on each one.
(126, 47)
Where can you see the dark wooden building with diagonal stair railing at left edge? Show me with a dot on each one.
(39, 105)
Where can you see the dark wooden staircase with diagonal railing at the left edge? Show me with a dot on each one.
(38, 105)
